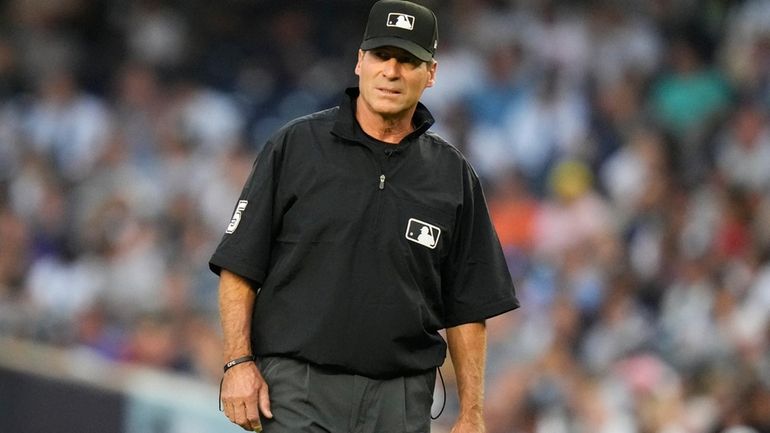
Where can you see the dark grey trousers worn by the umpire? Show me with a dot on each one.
(307, 398)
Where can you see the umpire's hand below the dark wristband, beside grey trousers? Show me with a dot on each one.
(245, 396)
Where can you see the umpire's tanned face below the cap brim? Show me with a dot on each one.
(392, 81)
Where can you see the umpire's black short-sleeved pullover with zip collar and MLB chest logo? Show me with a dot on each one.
(344, 281)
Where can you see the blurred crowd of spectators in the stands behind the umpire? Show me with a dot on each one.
(624, 146)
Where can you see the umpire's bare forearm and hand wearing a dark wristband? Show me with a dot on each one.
(244, 391)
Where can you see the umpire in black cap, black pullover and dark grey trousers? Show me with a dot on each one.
(358, 236)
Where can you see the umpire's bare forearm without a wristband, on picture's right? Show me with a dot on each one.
(467, 348)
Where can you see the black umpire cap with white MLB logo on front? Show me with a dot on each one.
(402, 24)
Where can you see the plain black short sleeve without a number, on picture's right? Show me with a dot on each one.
(478, 284)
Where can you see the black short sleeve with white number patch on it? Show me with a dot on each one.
(246, 245)
